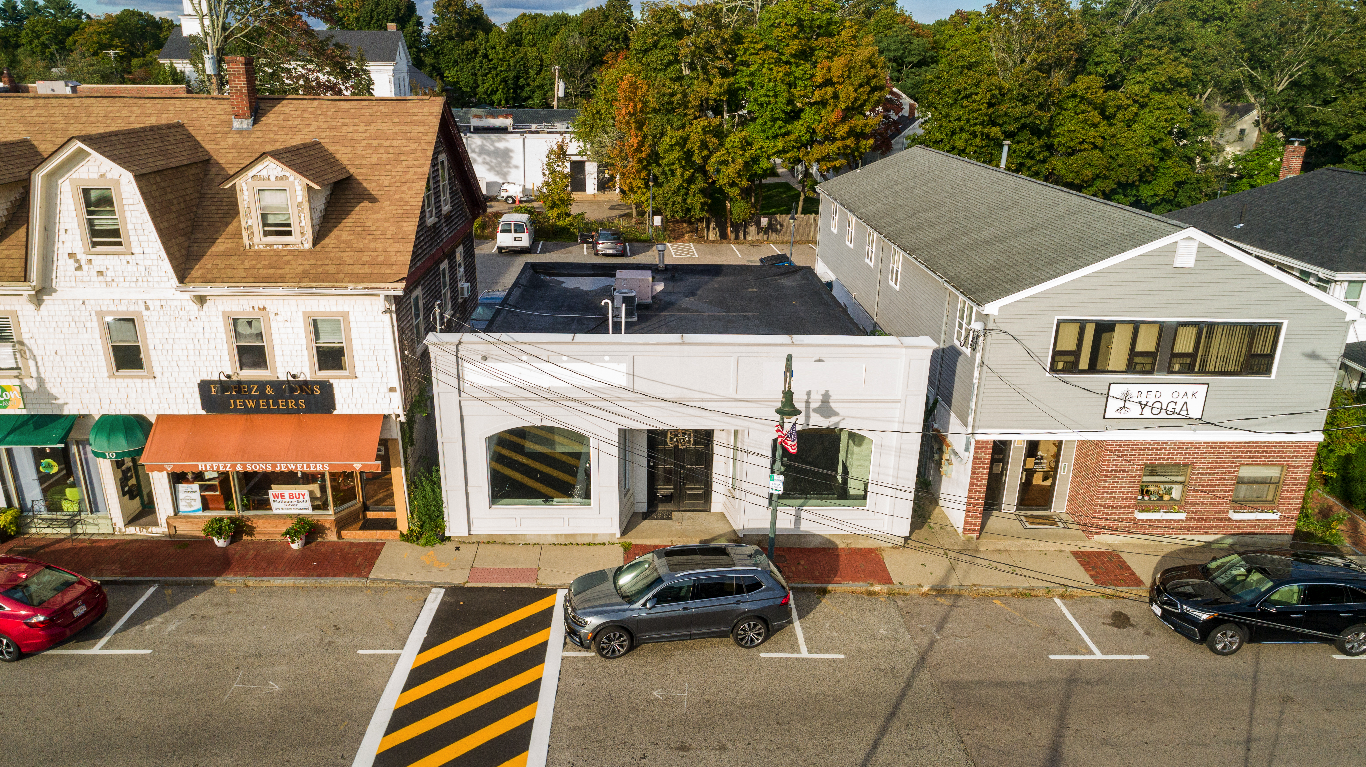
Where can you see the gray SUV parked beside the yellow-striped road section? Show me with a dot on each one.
(675, 594)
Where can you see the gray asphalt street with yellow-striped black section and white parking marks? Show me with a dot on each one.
(278, 676)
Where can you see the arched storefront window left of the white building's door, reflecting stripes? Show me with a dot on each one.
(539, 466)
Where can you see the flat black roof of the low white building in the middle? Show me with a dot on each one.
(697, 299)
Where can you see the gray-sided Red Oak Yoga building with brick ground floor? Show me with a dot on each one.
(1098, 367)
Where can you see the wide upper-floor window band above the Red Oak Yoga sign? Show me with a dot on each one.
(1165, 348)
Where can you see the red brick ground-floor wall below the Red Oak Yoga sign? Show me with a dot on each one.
(1106, 479)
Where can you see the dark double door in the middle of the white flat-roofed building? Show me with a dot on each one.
(681, 472)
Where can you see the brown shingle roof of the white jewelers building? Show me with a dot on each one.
(368, 230)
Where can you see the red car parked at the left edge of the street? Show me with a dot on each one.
(42, 605)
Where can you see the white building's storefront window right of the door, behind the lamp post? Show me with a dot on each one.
(831, 468)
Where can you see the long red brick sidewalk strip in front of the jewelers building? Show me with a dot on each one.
(107, 559)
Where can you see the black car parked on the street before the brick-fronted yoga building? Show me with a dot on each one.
(1268, 597)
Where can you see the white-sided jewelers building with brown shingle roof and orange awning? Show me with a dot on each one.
(236, 275)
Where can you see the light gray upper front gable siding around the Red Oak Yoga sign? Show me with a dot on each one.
(1148, 286)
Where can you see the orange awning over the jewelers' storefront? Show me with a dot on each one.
(264, 444)
